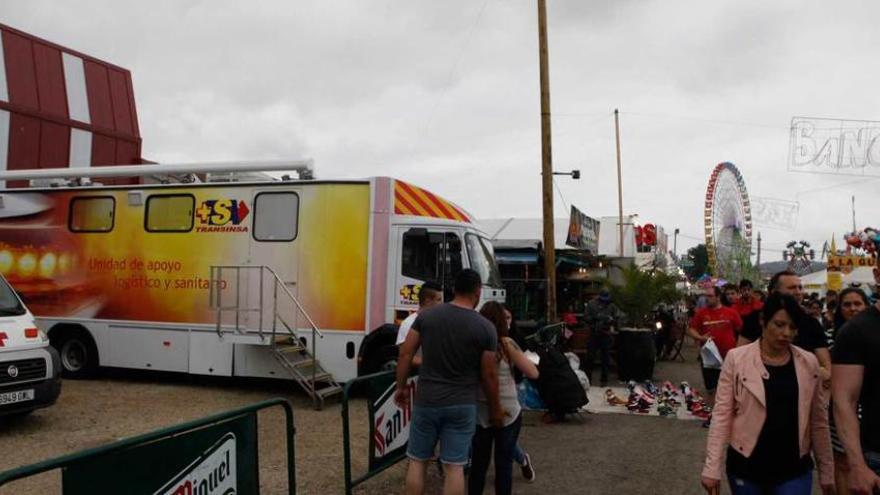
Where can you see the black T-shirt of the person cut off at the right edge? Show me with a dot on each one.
(858, 342)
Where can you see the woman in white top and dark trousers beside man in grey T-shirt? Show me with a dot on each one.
(509, 356)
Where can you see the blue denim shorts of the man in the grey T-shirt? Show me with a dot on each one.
(452, 426)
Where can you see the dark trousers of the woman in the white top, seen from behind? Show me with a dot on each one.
(504, 440)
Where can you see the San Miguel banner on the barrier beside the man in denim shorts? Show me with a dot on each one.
(389, 424)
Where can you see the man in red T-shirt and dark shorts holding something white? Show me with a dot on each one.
(721, 324)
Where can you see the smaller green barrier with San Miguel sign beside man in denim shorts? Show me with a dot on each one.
(389, 424)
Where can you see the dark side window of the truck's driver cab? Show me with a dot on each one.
(434, 256)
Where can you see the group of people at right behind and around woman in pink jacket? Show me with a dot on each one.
(798, 390)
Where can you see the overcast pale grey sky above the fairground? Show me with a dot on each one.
(445, 94)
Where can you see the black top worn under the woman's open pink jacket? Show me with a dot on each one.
(776, 457)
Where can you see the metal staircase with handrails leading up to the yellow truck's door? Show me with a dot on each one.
(289, 349)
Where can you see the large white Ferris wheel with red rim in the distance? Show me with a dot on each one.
(728, 220)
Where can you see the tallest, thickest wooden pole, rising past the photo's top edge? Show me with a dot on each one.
(547, 166)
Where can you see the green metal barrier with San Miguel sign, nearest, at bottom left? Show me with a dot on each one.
(214, 454)
